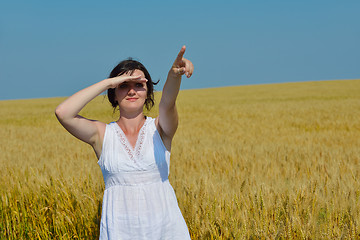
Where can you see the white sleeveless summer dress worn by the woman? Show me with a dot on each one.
(138, 202)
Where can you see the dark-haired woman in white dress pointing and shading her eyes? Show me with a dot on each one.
(134, 151)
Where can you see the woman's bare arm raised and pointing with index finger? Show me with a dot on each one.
(168, 117)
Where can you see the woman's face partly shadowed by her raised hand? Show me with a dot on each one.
(131, 95)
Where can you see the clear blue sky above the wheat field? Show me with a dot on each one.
(55, 48)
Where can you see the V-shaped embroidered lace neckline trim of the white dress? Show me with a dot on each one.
(133, 153)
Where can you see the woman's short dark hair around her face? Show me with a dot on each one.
(129, 66)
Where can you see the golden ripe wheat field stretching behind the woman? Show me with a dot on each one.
(276, 161)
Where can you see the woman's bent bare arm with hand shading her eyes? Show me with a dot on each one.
(84, 129)
